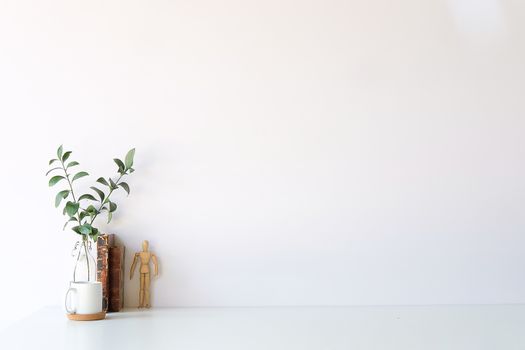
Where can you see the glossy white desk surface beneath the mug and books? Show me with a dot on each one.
(498, 327)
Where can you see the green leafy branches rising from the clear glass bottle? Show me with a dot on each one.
(84, 209)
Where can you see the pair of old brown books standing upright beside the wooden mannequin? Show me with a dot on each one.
(110, 272)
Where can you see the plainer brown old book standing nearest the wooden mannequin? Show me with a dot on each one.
(116, 278)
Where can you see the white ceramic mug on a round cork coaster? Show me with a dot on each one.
(85, 297)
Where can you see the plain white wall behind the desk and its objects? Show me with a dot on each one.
(288, 152)
